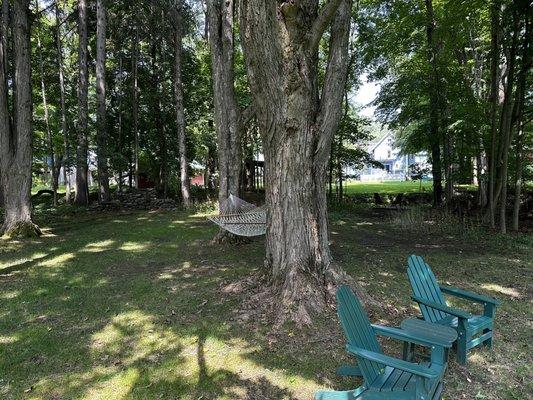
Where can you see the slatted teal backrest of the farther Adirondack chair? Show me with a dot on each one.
(424, 285)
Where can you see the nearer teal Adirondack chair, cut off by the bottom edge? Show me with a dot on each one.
(385, 377)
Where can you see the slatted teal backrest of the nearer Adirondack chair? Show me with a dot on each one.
(358, 331)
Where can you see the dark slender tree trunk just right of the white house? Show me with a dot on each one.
(434, 124)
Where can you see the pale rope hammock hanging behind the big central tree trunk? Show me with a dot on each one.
(241, 218)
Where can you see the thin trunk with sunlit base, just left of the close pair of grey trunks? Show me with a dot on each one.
(64, 125)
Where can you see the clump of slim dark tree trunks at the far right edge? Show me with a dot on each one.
(508, 88)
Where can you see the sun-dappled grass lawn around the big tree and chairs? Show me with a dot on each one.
(142, 306)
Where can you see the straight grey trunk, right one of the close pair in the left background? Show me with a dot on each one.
(101, 132)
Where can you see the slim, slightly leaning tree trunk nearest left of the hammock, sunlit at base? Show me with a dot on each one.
(180, 115)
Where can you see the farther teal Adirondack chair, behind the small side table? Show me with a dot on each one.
(472, 330)
